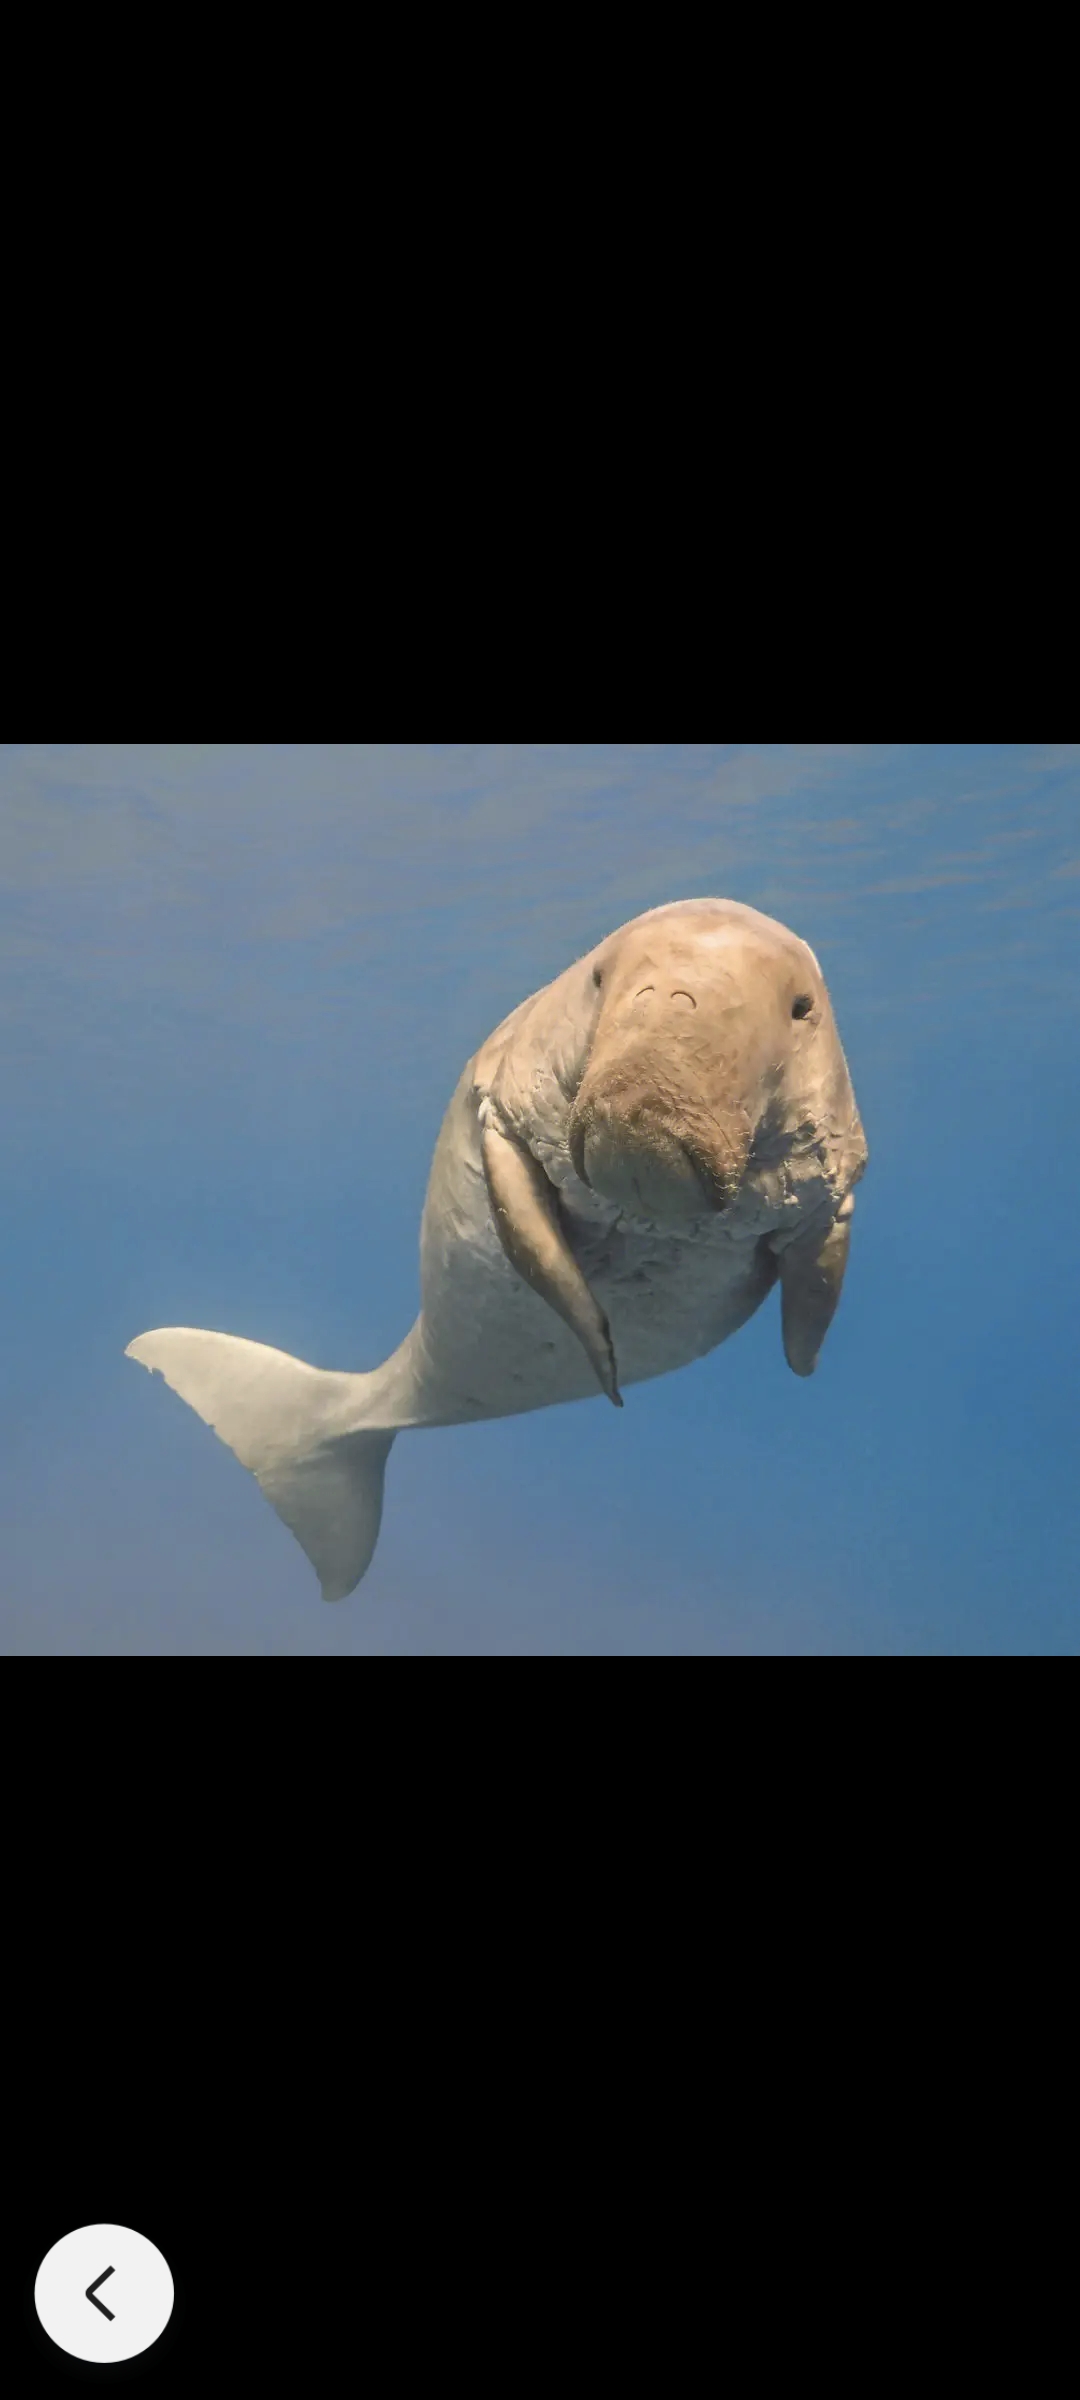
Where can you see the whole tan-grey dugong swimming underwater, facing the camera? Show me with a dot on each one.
(628, 1168)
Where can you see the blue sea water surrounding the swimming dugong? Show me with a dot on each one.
(236, 992)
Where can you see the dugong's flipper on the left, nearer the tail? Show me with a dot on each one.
(529, 1228)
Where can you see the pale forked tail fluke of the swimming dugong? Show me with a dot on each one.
(280, 1417)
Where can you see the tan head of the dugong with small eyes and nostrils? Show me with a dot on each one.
(712, 1036)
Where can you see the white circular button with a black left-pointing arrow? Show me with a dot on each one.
(104, 2293)
